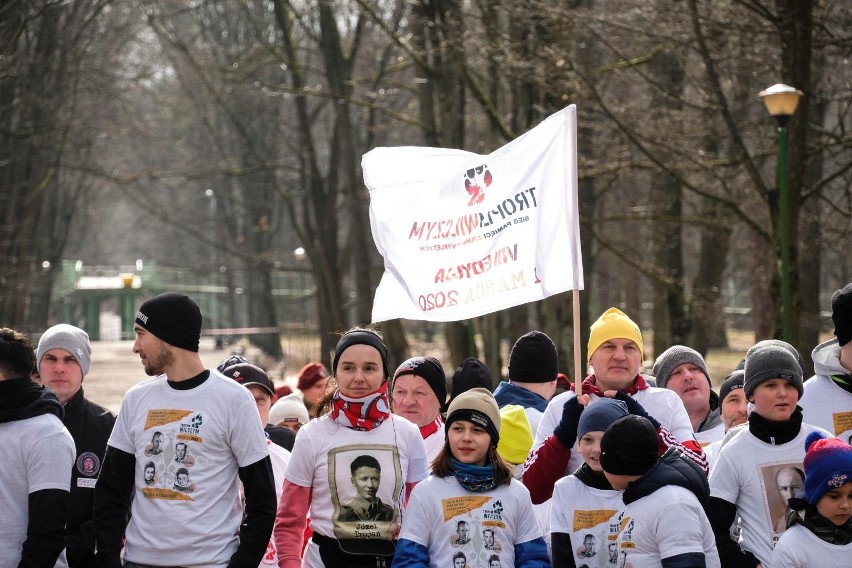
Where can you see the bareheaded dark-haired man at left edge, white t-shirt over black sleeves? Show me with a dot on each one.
(38, 454)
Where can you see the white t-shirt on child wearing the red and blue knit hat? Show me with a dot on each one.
(800, 548)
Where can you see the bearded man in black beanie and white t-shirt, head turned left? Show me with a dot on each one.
(185, 402)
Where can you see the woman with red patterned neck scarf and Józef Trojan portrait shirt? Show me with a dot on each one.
(352, 467)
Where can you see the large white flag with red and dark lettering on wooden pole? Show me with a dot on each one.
(464, 234)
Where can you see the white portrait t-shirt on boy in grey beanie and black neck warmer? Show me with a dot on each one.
(745, 474)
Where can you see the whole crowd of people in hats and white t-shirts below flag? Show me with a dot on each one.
(369, 465)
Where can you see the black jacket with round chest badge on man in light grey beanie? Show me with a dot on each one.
(90, 425)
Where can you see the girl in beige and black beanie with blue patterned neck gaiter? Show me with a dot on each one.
(470, 512)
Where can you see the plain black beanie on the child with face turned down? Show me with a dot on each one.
(629, 446)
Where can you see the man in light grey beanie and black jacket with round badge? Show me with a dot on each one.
(64, 356)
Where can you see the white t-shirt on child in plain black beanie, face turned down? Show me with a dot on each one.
(668, 522)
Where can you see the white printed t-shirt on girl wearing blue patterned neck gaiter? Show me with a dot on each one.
(451, 521)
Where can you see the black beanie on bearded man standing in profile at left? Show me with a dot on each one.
(172, 317)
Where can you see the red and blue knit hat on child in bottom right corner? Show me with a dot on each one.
(828, 465)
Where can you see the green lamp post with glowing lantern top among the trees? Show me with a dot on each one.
(781, 102)
